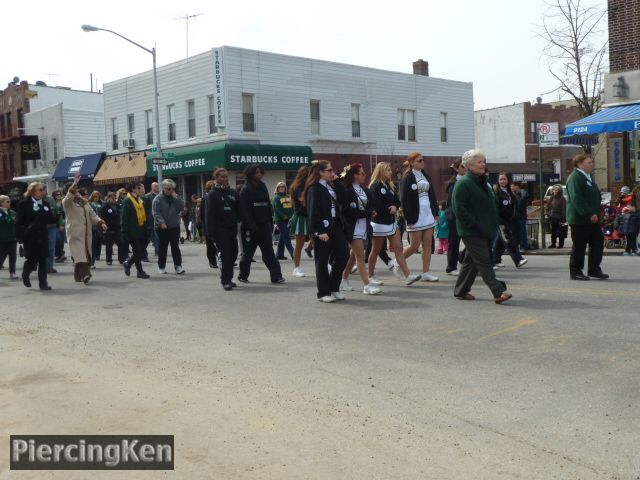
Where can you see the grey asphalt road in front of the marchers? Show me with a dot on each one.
(266, 382)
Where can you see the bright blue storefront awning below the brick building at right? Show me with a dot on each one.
(624, 118)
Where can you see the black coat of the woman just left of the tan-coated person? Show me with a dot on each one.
(31, 227)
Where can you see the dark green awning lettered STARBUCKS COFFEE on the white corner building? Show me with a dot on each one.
(233, 156)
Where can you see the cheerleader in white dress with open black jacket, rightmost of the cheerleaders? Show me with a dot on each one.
(420, 209)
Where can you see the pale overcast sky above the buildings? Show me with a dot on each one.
(491, 43)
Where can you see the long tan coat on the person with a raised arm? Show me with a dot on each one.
(80, 219)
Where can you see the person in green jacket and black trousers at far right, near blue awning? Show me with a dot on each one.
(583, 216)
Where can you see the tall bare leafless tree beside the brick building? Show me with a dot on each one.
(576, 49)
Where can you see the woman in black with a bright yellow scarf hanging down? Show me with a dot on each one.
(133, 221)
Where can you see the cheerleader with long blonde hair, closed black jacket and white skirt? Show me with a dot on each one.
(384, 226)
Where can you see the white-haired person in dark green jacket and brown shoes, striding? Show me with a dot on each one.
(474, 206)
